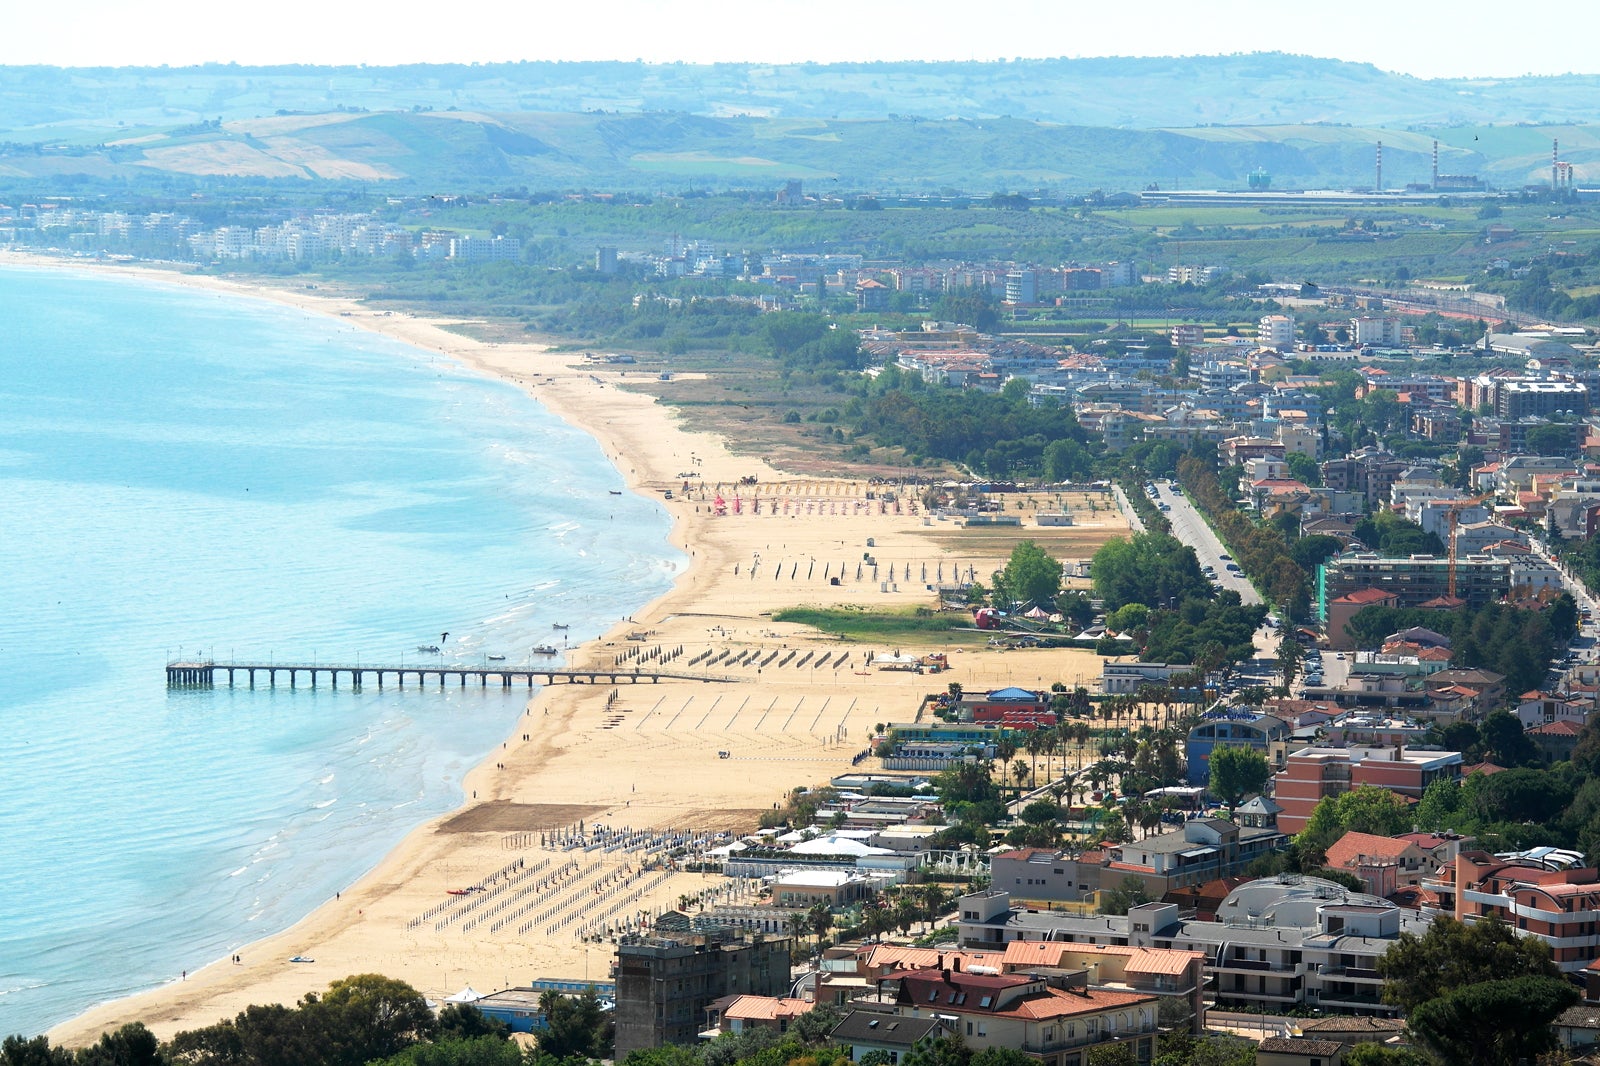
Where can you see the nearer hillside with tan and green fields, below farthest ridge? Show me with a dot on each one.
(674, 151)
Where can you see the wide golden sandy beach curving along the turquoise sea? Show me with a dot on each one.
(644, 756)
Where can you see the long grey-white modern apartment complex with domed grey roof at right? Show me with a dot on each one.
(1276, 944)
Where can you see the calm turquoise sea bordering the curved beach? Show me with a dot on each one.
(190, 475)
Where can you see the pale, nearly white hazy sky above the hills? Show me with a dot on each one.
(1462, 39)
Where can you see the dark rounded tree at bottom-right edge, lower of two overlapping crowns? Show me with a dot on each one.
(1494, 1024)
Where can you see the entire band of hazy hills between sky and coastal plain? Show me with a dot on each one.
(1060, 126)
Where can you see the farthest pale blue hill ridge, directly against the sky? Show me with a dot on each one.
(1254, 89)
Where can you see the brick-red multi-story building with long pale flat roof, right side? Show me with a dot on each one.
(1316, 774)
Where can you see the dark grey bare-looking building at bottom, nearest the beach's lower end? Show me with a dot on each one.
(665, 985)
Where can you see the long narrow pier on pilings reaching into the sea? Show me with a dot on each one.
(207, 675)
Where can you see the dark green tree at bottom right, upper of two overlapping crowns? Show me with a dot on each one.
(1455, 955)
